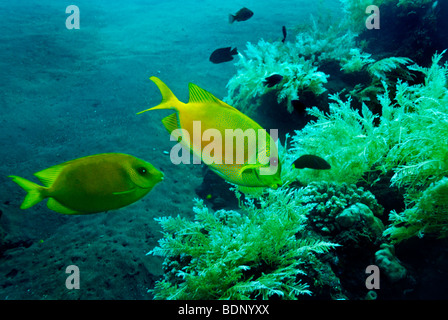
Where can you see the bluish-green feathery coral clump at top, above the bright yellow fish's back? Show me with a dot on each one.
(297, 62)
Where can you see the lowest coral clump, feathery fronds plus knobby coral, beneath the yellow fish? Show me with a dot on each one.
(277, 245)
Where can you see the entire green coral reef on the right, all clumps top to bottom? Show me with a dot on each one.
(312, 234)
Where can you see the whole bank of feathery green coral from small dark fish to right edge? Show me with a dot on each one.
(410, 140)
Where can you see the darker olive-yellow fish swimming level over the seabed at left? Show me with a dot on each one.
(91, 184)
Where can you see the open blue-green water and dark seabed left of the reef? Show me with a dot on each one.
(69, 93)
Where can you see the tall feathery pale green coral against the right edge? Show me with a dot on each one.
(421, 152)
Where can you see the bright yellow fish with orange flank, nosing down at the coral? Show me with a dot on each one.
(259, 167)
